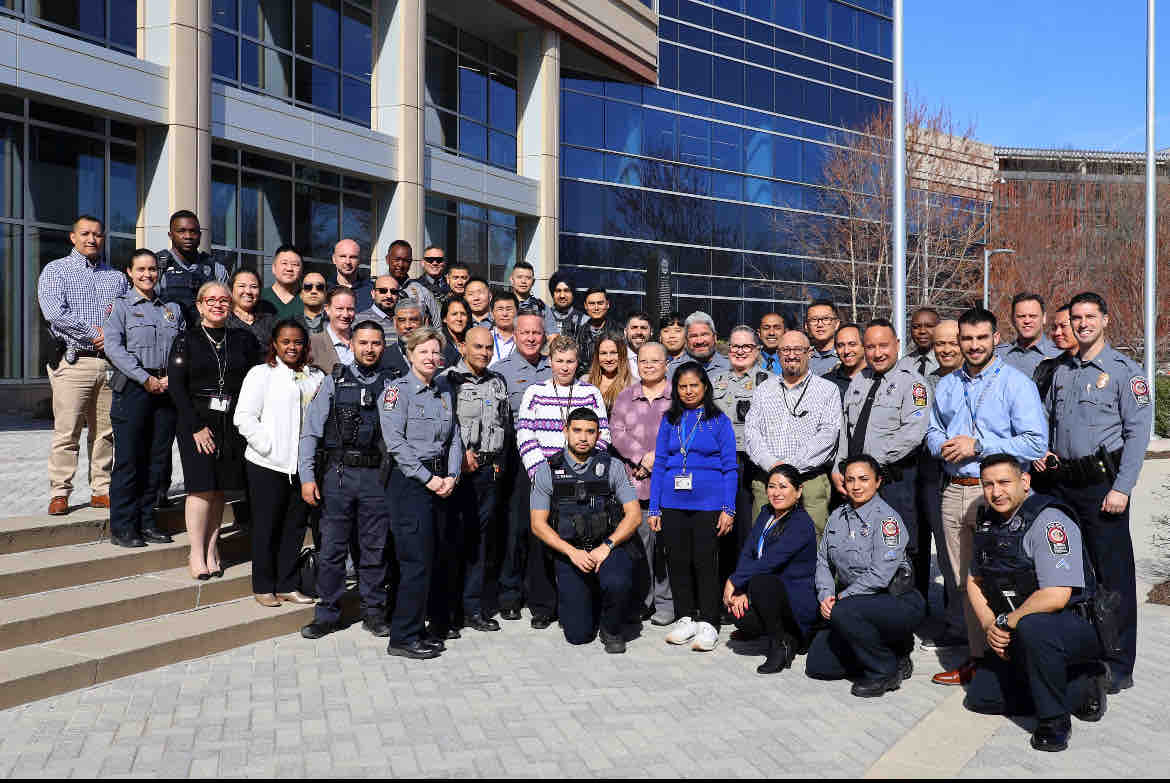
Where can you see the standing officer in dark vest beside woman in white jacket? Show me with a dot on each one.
(348, 475)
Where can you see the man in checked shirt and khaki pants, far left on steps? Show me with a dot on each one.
(77, 294)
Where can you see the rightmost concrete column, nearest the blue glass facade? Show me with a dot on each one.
(539, 143)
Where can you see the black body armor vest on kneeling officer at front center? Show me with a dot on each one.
(586, 509)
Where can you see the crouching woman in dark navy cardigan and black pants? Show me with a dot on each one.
(773, 592)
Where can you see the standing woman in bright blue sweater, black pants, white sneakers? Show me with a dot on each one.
(693, 493)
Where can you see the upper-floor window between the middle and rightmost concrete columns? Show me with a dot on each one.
(471, 97)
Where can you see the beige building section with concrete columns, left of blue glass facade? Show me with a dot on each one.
(291, 121)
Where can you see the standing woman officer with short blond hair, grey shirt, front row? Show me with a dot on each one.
(418, 422)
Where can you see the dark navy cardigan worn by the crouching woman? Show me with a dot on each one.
(790, 552)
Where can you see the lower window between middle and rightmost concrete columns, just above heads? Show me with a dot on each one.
(484, 239)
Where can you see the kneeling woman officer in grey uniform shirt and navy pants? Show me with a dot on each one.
(865, 589)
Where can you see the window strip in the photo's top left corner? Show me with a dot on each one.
(112, 24)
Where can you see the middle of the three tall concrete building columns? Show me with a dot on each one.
(397, 107)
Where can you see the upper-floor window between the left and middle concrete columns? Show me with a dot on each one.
(312, 53)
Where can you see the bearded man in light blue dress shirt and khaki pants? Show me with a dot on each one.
(985, 408)
